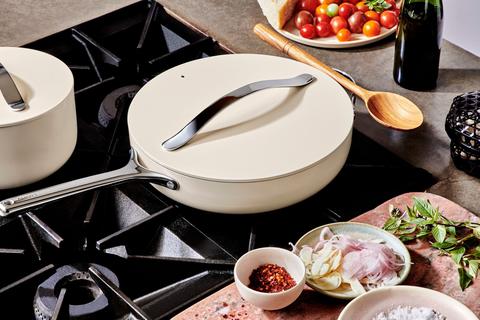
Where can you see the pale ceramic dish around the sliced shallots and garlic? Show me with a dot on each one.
(358, 231)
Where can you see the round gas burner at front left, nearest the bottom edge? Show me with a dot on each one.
(84, 298)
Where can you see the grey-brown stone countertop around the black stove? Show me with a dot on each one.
(231, 23)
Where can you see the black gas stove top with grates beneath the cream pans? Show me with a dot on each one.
(128, 252)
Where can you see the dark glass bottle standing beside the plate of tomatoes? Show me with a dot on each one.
(418, 42)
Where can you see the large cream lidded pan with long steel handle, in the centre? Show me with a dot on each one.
(265, 151)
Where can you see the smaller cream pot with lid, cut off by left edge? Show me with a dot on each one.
(38, 128)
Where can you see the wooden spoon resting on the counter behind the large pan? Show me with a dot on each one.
(389, 109)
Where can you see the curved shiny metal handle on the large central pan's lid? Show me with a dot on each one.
(190, 130)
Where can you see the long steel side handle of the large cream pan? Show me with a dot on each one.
(132, 171)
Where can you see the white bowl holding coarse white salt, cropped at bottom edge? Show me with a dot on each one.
(372, 303)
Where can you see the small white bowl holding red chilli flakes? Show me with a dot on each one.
(255, 258)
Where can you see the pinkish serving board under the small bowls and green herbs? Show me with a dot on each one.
(429, 270)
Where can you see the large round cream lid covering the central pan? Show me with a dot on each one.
(262, 136)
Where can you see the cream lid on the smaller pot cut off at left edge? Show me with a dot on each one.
(42, 80)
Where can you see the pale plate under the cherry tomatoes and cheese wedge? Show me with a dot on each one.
(358, 39)
